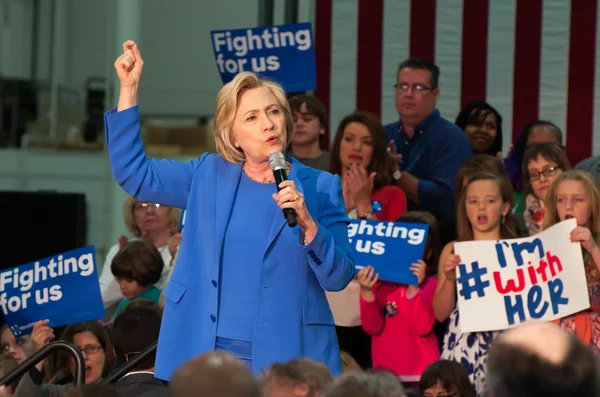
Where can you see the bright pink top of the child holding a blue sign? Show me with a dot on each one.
(403, 343)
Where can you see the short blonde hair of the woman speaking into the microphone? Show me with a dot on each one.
(227, 104)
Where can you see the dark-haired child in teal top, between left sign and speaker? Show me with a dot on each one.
(136, 268)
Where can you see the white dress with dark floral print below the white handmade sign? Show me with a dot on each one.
(470, 350)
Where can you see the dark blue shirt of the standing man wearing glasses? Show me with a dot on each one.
(433, 155)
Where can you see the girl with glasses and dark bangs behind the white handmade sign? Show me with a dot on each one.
(542, 163)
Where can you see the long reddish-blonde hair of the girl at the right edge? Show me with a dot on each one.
(592, 188)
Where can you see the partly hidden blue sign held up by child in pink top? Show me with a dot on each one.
(390, 247)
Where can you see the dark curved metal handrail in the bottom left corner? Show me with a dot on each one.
(35, 358)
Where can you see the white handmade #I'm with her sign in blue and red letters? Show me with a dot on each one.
(502, 284)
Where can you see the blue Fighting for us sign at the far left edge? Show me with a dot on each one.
(62, 289)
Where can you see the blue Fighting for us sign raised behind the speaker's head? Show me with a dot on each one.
(283, 53)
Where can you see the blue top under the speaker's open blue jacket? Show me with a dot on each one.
(245, 239)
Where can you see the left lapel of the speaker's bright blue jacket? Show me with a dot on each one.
(228, 180)
